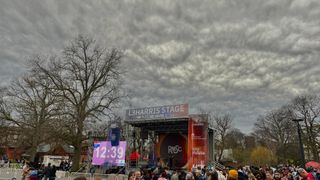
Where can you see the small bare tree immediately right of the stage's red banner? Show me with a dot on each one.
(222, 124)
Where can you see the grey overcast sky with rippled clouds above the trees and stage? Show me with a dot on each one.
(245, 57)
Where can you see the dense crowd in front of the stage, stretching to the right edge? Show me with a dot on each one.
(241, 173)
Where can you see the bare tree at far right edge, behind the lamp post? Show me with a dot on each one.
(307, 107)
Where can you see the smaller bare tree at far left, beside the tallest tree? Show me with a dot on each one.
(27, 109)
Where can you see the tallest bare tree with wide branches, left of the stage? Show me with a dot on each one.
(87, 77)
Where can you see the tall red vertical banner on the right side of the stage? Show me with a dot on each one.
(198, 141)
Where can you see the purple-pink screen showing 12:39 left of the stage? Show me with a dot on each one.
(106, 154)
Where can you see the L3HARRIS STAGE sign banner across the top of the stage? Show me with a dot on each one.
(160, 112)
